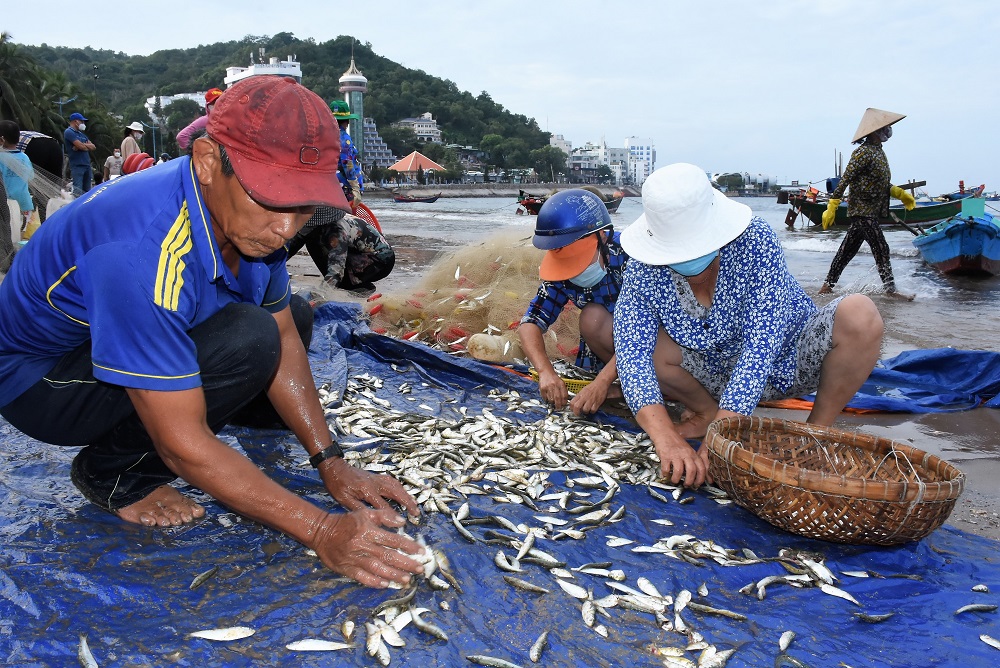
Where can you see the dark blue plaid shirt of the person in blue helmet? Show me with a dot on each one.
(553, 296)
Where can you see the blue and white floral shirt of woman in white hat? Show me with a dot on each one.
(750, 330)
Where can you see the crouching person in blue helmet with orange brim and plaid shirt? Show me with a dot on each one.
(583, 263)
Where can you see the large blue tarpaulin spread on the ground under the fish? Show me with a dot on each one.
(69, 569)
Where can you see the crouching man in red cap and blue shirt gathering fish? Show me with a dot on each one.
(143, 317)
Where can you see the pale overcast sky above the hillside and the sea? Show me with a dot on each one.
(776, 87)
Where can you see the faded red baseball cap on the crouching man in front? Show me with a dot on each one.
(282, 141)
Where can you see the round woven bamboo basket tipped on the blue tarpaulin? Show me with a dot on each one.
(831, 484)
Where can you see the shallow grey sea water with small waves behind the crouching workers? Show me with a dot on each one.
(960, 312)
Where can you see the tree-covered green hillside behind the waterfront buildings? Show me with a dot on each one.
(124, 82)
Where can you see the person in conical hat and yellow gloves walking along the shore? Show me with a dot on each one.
(868, 177)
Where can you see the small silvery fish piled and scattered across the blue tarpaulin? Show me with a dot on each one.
(500, 454)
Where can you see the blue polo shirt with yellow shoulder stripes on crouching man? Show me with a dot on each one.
(132, 266)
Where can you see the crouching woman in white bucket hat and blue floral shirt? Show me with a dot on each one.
(710, 316)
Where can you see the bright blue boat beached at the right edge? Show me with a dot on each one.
(962, 245)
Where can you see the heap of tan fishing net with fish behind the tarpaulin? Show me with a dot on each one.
(483, 288)
